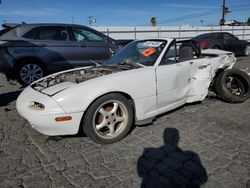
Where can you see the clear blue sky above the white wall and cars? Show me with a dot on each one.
(122, 12)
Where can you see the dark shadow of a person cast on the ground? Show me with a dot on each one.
(169, 166)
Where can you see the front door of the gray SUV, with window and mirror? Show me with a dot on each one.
(90, 46)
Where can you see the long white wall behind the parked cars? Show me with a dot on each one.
(126, 32)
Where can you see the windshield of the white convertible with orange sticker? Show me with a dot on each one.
(143, 52)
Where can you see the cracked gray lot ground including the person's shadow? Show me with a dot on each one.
(205, 144)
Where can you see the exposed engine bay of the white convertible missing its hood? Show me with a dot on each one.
(75, 76)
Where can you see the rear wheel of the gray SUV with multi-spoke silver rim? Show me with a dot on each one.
(28, 71)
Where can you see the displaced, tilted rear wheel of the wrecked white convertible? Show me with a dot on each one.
(233, 86)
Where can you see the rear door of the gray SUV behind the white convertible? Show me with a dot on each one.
(52, 45)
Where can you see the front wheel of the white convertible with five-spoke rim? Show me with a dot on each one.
(108, 119)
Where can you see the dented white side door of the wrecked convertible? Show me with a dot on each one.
(172, 80)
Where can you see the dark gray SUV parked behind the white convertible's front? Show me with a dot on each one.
(30, 51)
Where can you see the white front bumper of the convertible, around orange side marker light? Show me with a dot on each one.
(44, 120)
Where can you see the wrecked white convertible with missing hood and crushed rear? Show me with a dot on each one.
(144, 79)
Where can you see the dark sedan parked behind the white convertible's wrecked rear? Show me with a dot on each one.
(223, 41)
